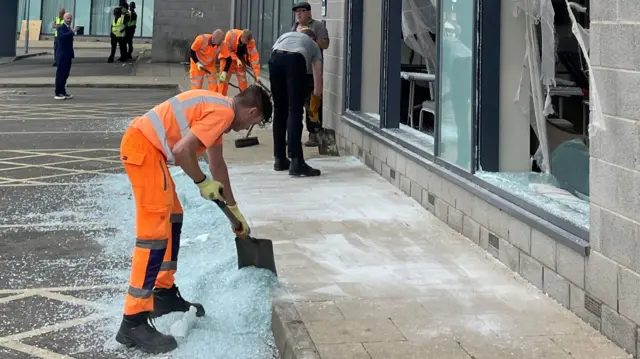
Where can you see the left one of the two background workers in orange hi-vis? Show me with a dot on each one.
(204, 55)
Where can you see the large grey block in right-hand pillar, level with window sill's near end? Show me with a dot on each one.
(619, 239)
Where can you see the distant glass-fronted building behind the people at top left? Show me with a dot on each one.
(94, 16)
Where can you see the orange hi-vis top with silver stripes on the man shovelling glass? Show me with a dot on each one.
(205, 113)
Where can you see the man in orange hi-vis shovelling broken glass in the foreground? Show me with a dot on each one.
(176, 132)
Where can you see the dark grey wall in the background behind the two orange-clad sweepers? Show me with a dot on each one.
(177, 23)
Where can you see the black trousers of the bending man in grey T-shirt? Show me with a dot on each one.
(288, 78)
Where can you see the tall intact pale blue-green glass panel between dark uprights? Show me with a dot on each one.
(456, 80)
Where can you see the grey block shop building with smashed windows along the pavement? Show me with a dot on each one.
(542, 174)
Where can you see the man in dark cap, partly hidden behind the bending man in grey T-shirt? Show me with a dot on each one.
(304, 20)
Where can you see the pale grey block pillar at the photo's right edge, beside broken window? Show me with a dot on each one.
(613, 271)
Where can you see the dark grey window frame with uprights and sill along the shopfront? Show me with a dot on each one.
(486, 125)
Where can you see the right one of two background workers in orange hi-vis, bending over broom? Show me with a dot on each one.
(237, 47)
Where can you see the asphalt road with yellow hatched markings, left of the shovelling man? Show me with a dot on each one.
(54, 269)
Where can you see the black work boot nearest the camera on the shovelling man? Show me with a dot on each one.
(138, 331)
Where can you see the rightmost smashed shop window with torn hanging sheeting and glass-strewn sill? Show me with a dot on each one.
(553, 174)
